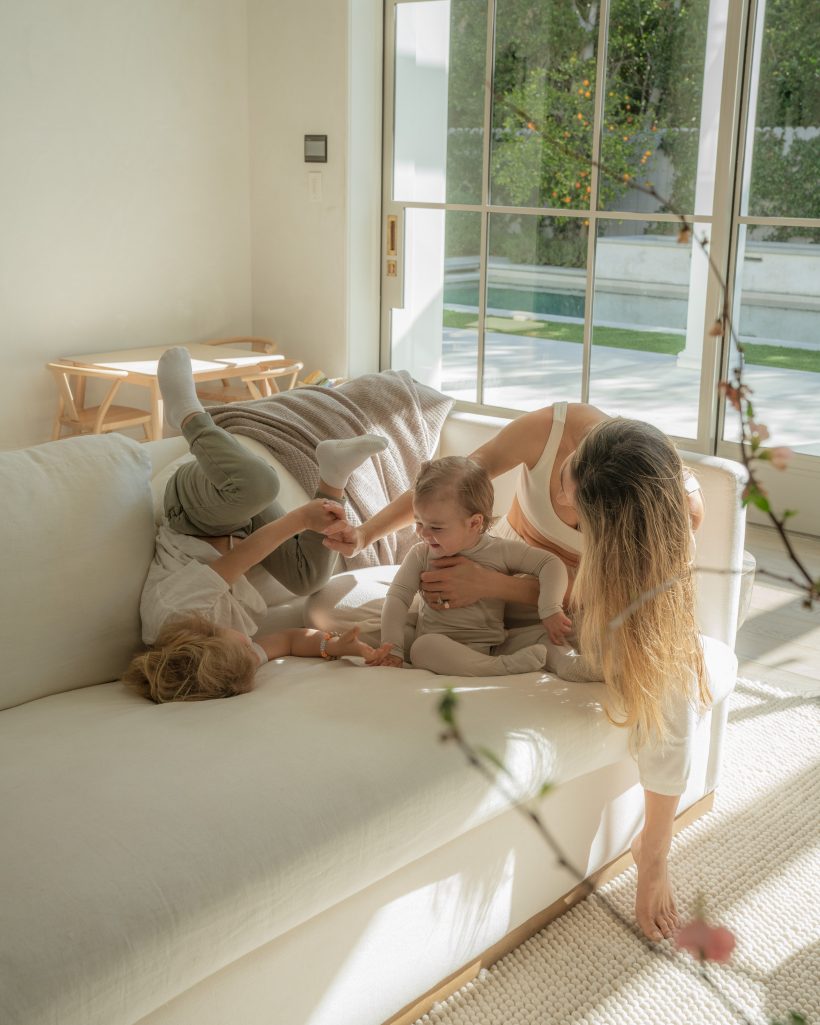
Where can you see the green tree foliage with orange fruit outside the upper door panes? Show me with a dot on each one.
(546, 67)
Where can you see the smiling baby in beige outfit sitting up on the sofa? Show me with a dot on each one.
(453, 504)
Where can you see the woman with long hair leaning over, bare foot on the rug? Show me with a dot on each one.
(567, 487)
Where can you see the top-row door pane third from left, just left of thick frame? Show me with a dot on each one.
(652, 108)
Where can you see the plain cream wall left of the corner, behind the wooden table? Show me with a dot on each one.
(125, 185)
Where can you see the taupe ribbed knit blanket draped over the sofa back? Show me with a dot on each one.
(411, 416)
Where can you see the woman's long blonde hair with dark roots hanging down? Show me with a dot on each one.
(635, 582)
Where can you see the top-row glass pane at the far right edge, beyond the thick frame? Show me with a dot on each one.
(786, 91)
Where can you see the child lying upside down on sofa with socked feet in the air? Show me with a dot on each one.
(222, 519)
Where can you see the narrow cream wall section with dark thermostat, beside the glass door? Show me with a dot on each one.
(315, 68)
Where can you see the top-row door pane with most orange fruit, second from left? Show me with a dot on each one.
(544, 95)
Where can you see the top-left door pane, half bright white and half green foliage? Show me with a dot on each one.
(439, 114)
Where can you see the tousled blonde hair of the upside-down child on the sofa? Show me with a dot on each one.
(192, 661)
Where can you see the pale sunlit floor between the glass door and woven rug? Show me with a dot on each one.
(780, 642)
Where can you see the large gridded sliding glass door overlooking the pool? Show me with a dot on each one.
(557, 178)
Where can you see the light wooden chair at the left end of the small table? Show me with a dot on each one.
(81, 420)
